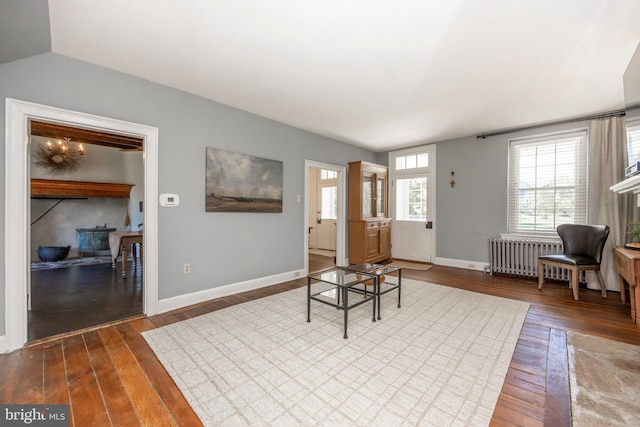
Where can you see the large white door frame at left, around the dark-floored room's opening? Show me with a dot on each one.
(17, 205)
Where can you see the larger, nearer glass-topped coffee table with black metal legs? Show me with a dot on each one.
(338, 283)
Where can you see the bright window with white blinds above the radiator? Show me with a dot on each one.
(547, 183)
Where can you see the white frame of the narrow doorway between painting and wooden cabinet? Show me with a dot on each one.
(342, 211)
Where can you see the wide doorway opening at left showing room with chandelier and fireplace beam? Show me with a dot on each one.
(72, 283)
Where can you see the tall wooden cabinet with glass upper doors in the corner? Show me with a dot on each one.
(369, 226)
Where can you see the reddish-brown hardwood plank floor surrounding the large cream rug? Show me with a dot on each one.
(109, 376)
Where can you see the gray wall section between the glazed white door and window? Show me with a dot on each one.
(476, 208)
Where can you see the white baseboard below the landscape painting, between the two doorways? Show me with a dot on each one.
(180, 301)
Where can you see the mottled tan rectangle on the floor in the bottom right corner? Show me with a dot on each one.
(605, 381)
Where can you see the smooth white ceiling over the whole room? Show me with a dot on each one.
(381, 74)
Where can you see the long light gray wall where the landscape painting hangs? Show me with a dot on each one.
(223, 248)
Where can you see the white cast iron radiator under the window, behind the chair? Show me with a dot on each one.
(519, 257)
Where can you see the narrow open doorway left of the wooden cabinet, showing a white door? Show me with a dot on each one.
(325, 213)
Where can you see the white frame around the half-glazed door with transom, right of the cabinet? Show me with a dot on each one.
(431, 170)
